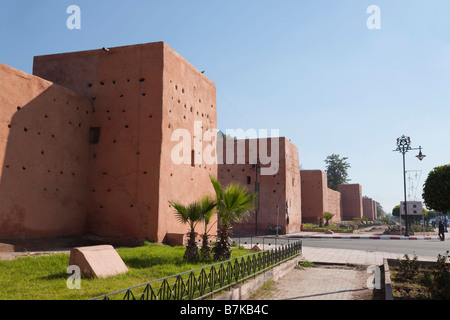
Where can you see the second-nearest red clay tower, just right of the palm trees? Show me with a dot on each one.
(279, 193)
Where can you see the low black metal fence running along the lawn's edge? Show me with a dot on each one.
(205, 282)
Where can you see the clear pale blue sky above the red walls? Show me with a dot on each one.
(311, 69)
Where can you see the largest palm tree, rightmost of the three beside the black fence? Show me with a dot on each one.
(233, 205)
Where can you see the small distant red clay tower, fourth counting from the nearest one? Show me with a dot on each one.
(351, 195)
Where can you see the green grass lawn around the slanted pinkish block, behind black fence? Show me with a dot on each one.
(45, 277)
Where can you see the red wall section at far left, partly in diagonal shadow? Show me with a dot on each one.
(44, 136)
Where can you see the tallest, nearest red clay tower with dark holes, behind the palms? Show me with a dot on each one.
(140, 95)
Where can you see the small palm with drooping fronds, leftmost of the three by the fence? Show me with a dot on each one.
(192, 214)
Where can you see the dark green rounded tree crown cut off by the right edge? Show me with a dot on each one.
(436, 189)
